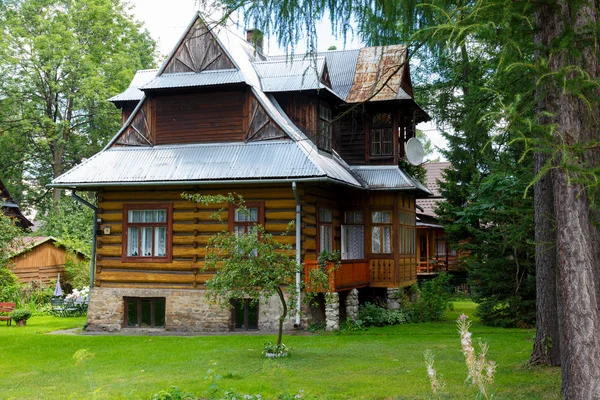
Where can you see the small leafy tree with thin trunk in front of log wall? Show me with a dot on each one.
(251, 264)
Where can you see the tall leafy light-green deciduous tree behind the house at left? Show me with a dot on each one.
(60, 61)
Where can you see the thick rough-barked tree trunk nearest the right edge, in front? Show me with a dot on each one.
(577, 238)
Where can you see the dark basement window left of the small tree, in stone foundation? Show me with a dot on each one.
(144, 312)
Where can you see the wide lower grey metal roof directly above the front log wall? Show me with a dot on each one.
(198, 163)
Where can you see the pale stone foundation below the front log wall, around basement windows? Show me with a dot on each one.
(186, 311)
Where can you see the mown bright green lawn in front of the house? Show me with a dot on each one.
(381, 363)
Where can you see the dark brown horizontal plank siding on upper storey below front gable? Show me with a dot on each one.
(200, 117)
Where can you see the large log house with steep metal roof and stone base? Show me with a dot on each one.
(317, 140)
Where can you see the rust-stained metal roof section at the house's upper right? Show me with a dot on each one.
(380, 75)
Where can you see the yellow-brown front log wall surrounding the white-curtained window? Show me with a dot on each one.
(192, 228)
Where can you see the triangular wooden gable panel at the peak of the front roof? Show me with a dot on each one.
(198, 51)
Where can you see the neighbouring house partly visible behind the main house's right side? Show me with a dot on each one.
(433, 253)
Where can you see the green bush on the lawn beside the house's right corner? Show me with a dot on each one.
(433, 299)
